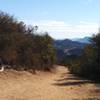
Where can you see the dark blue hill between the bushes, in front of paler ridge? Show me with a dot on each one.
(68, 48)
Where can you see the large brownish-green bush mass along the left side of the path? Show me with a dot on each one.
(22, 48)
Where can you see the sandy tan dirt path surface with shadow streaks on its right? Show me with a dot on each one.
(58, 85)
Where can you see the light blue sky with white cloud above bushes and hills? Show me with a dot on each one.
(60, 18)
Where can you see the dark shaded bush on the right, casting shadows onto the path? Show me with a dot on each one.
(88, 65)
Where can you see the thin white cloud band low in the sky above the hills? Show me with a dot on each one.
(61, 29)
